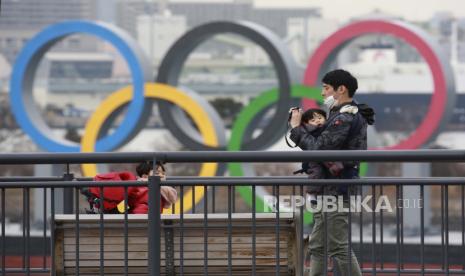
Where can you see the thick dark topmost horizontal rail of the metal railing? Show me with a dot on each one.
(236, 156)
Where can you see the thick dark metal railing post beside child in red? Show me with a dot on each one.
(154, 225)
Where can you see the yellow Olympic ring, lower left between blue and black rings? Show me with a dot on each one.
(156, 91)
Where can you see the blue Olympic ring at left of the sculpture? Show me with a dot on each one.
(22, 103)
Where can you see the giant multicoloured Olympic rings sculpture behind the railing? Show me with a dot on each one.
(210, 132)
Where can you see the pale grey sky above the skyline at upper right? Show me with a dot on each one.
(412, 10)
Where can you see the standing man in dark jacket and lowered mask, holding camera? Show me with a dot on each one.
(345, 129)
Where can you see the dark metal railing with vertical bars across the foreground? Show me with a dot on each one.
(452, 257)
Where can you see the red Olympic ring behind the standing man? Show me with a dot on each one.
(333, 44)
